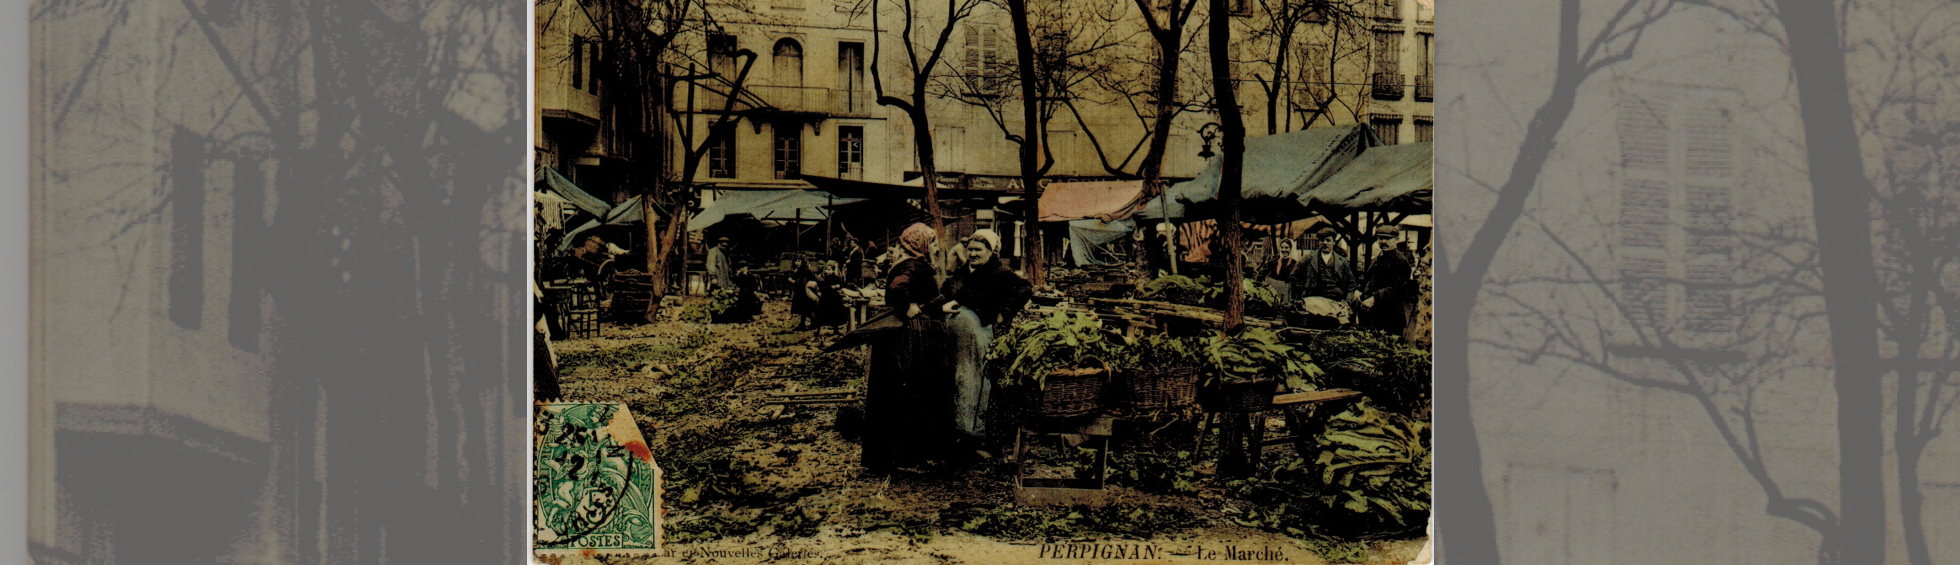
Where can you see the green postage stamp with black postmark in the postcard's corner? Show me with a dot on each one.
(595, 482)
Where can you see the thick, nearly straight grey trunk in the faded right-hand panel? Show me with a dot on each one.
(1841, 199)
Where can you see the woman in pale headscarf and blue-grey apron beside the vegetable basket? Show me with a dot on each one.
(983, 297)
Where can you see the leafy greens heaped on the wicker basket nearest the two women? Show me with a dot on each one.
(1059, 340)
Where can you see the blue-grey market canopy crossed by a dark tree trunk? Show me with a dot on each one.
(1279, 170)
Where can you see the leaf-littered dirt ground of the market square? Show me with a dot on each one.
(769, 484)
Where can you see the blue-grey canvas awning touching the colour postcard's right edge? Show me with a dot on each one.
(1383, 180)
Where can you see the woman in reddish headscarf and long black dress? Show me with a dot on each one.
(908, 366)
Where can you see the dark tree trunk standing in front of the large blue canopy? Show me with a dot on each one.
(1232, 128)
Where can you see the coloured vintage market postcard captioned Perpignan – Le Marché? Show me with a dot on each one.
(983, 282)
